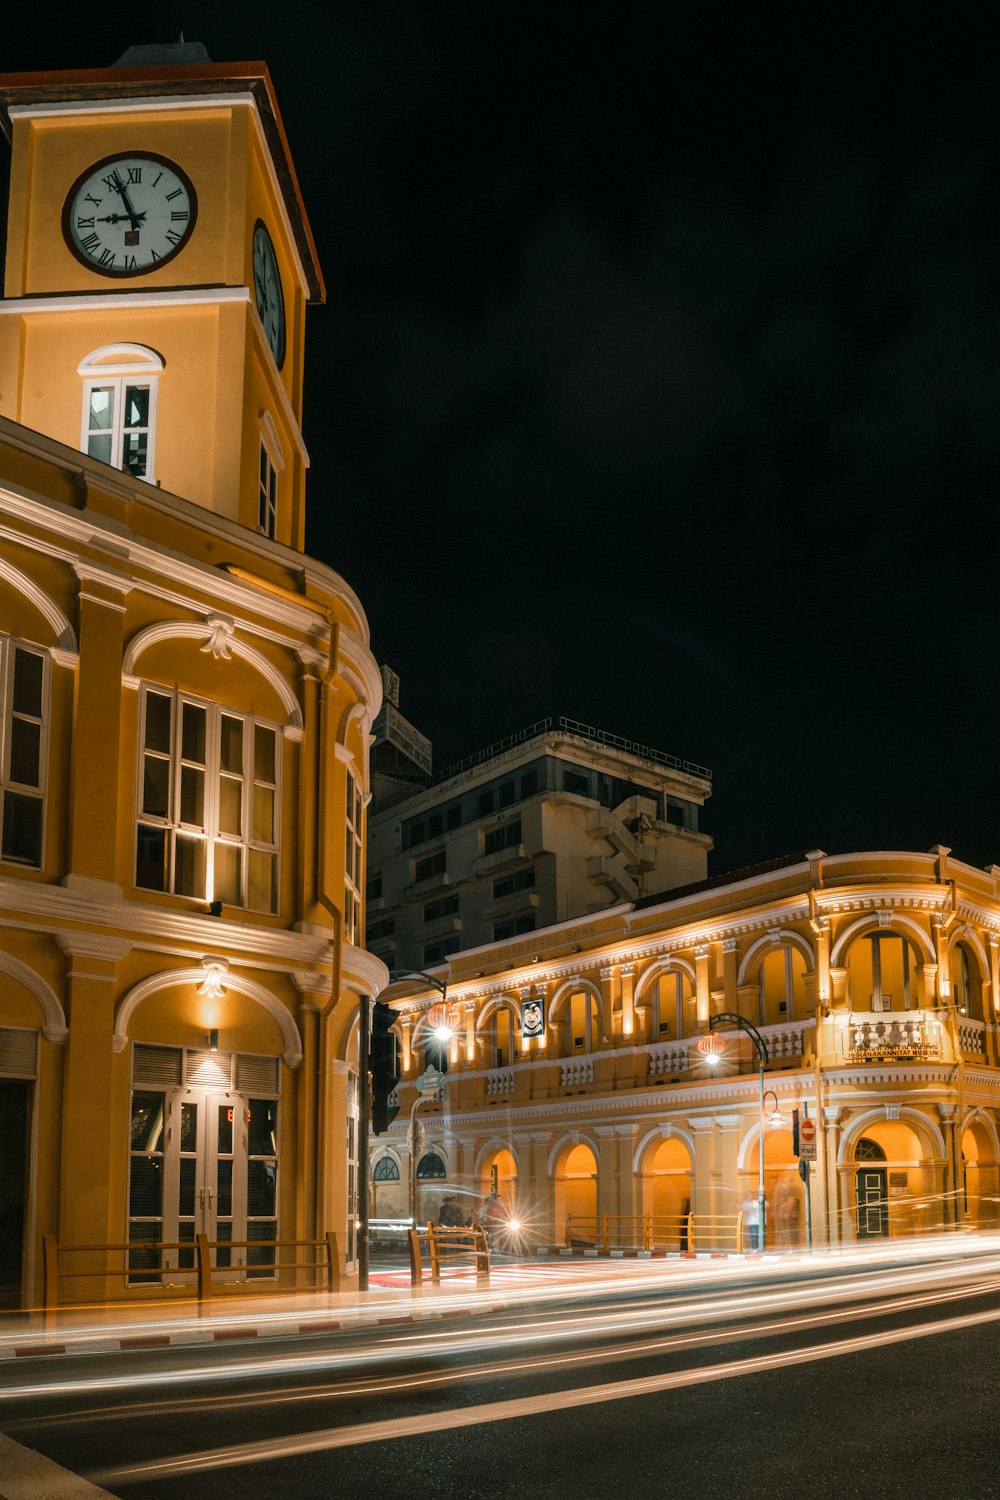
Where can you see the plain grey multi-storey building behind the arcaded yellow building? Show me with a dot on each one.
(552, 823)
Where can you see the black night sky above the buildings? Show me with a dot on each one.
(657, 385)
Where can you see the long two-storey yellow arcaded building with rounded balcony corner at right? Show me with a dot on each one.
(576, 1084)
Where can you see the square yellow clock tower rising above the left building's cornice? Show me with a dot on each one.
(158, 271)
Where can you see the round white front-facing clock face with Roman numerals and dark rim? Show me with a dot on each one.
(128, 215)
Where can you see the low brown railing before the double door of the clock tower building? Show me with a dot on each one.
(205, 1270)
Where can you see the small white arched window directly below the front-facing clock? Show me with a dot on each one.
(119, 421)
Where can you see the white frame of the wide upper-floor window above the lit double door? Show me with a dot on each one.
(209, 832)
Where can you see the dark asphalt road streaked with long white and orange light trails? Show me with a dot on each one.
(825, 1381)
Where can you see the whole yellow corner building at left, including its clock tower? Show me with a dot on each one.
(187, 697)
